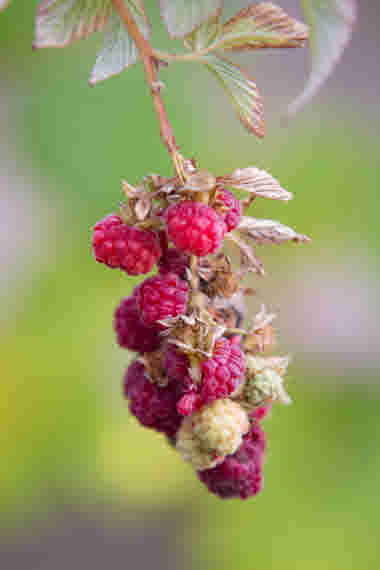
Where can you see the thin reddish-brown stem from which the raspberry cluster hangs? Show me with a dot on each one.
(148, 60)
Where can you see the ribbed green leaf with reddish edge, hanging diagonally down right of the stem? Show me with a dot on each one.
(242, 91)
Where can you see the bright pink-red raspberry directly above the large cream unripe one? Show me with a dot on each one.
(221, 376)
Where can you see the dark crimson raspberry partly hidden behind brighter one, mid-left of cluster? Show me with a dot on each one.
(131, 331)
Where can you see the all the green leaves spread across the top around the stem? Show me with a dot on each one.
(259, 26)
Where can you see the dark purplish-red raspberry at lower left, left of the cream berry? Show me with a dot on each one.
(153, 406)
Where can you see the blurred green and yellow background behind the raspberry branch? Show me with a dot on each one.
(80, 482)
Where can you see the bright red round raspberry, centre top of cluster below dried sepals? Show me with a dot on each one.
(195, 228)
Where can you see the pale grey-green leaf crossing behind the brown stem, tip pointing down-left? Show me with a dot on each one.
(119, 50)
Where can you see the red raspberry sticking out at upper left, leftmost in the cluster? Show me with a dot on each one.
(118, 245)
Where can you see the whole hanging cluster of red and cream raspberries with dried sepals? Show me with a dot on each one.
(196, 378)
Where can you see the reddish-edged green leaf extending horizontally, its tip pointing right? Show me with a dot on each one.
(263, 25)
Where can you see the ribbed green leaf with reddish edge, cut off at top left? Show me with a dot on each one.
(61, 22)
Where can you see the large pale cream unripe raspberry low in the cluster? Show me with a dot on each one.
(207, 436)
